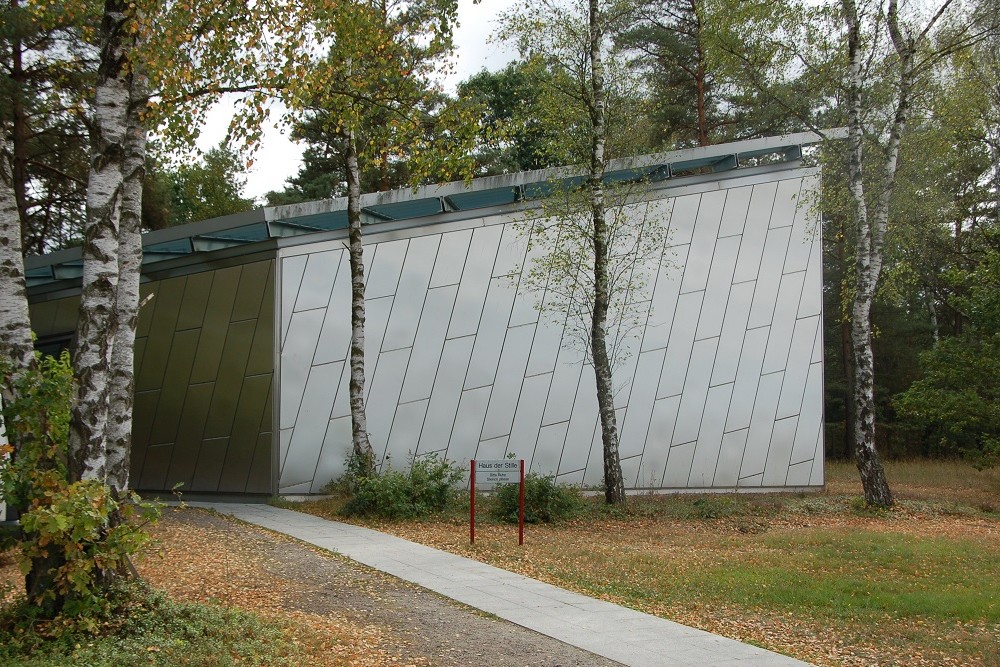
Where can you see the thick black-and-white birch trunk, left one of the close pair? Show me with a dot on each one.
(97, 324)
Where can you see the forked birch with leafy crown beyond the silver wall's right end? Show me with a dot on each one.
(864, 64)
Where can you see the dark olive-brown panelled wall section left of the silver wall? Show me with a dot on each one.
(204, 367)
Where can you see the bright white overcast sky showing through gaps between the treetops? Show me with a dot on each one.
(278, 157)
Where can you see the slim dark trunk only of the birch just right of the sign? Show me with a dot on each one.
(614, 487)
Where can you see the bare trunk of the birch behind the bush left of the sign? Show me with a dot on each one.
(361, 447)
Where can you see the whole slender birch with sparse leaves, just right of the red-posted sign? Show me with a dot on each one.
(575, 40)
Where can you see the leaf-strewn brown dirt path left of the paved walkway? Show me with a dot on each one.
(373, 618)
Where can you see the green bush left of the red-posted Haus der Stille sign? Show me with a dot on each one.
(428, 487)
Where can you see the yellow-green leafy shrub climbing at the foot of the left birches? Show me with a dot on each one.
(75, 537)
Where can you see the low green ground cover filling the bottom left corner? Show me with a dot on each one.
(138, 626)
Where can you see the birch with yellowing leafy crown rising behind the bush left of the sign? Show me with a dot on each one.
(382, 57)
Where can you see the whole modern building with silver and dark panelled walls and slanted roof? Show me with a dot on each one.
(241, 354)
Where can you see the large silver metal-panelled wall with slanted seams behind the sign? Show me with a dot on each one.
(722, 388)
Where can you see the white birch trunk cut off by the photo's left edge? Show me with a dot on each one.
(15, 327)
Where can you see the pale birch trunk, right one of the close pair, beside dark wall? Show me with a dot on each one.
(122, 380)
